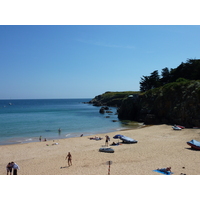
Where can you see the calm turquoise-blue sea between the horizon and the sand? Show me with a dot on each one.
(24, 121)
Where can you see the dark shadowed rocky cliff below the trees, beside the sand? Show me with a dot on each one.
(174, 103)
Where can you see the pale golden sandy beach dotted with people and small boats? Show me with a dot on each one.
(158, 146)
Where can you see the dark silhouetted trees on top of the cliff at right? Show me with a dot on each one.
(189, 70)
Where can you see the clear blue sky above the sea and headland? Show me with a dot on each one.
(85, 61)
